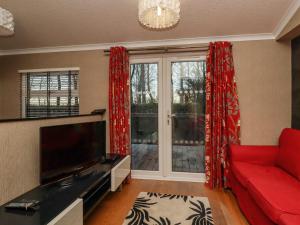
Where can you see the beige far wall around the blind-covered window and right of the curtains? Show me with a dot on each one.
(263, 71)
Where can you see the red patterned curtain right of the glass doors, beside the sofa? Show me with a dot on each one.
(222, 119)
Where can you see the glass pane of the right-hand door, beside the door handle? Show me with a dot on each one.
(187, 116)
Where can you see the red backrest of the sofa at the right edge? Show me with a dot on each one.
(289, 152)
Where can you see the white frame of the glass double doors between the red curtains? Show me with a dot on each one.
(164, 129)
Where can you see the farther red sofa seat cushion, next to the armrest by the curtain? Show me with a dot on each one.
(244, 171)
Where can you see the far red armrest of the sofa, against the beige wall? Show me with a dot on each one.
(261, 155)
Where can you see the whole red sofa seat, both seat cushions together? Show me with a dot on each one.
(273, 190)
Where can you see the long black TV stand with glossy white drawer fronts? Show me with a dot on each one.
(70, 201)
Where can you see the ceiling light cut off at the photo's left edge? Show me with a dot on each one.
(6, 22)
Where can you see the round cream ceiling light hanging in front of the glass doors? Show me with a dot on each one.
(159, 14)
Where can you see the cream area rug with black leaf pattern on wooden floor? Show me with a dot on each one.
(166, 209)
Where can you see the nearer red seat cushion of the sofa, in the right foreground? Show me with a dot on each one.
(277, 193)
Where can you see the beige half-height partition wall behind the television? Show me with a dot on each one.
(19, 154)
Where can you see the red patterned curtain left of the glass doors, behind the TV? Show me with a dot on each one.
(119, 102)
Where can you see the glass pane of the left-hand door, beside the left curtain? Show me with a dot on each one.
(144, 116)
